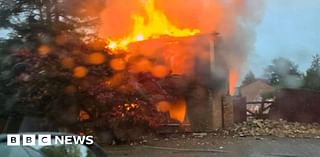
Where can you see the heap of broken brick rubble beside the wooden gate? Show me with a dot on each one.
(281, 128)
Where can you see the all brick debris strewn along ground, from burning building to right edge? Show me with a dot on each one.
(257, 128)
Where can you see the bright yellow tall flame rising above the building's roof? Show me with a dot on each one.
(154, 26)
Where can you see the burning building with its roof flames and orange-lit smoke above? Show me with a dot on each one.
(196, 67)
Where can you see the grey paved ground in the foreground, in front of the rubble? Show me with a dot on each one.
(220, 147)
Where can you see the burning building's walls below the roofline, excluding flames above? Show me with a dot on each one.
(197, 74)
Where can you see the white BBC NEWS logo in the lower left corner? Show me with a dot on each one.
(47, 139)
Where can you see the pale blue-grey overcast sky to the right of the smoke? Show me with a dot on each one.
(289, 28)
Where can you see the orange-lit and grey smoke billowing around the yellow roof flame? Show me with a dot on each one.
(234, 20)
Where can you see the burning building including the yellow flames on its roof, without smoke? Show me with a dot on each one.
(195, 74)
